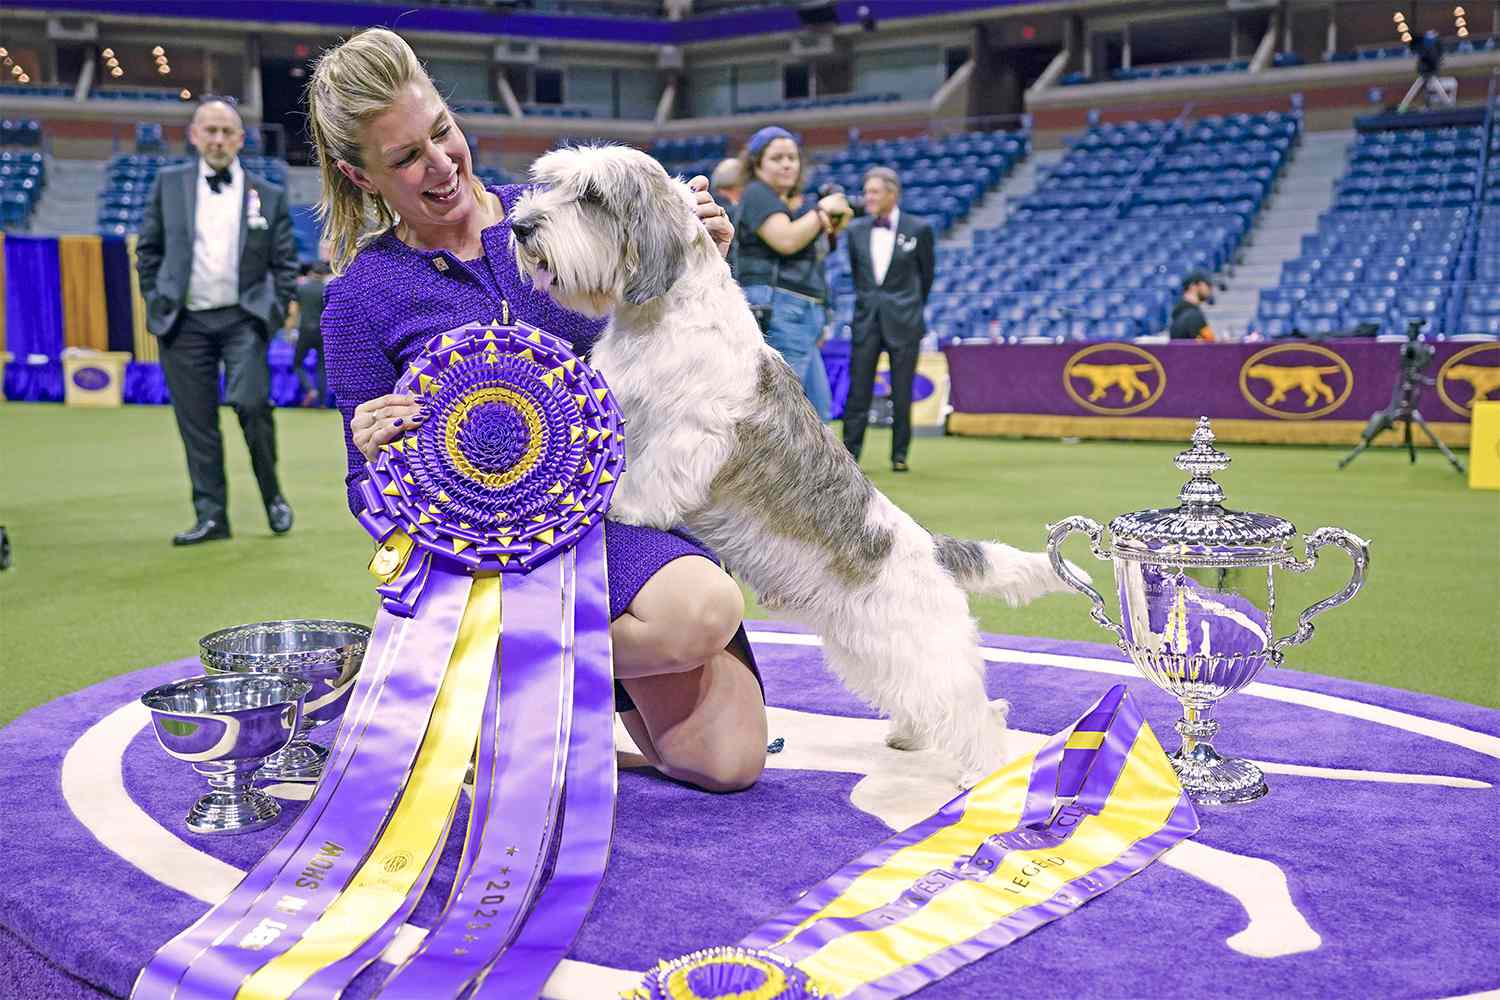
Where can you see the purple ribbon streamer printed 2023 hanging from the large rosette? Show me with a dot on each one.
(535, 699)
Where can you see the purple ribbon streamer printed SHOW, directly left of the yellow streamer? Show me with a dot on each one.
(355, 806)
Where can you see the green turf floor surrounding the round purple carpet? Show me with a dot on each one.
(91, 500)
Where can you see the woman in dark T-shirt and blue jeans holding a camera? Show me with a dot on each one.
(784, 241)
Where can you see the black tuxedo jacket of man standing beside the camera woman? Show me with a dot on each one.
(895, 307)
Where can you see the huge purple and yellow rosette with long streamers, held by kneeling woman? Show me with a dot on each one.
(490, 518)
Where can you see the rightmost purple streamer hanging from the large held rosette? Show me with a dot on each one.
(590, 807)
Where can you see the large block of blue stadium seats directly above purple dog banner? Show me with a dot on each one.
(1102, 248)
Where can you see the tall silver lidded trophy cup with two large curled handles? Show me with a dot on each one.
(1198, 594)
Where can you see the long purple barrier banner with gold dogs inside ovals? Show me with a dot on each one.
(1294, 382)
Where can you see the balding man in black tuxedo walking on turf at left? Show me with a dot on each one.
(218, 268)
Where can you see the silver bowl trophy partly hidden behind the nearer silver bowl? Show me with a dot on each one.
(326, 654)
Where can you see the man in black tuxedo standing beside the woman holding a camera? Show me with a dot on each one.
(893, 257)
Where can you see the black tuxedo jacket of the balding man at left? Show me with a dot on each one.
(164, 251)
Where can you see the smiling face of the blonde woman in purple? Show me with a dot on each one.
(418, 160)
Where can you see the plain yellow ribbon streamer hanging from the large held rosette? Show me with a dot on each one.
(421, 821)
